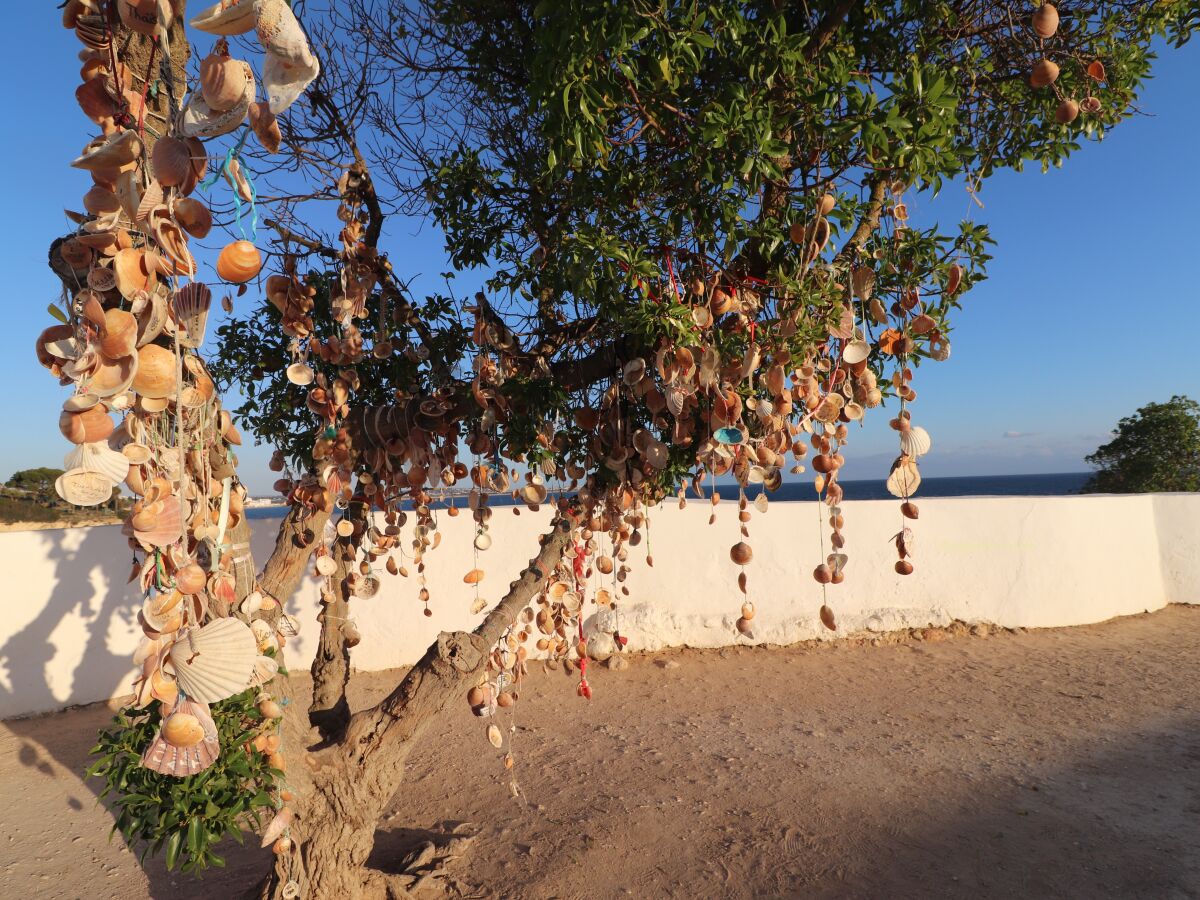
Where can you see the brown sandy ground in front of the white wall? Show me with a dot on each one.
(1059, 764)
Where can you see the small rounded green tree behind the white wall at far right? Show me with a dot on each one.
(1155, 449)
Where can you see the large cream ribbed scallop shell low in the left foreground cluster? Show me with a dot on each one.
(215, 662)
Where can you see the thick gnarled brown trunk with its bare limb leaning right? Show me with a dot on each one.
(355, 779)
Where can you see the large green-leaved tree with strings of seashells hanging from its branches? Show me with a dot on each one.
(701, 262)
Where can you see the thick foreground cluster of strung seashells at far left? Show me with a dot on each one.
(133, 320)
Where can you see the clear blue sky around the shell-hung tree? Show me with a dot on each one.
(1090, 313)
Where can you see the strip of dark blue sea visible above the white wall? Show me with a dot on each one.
(800, 488)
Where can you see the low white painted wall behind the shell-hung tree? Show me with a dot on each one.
(69, 625)
